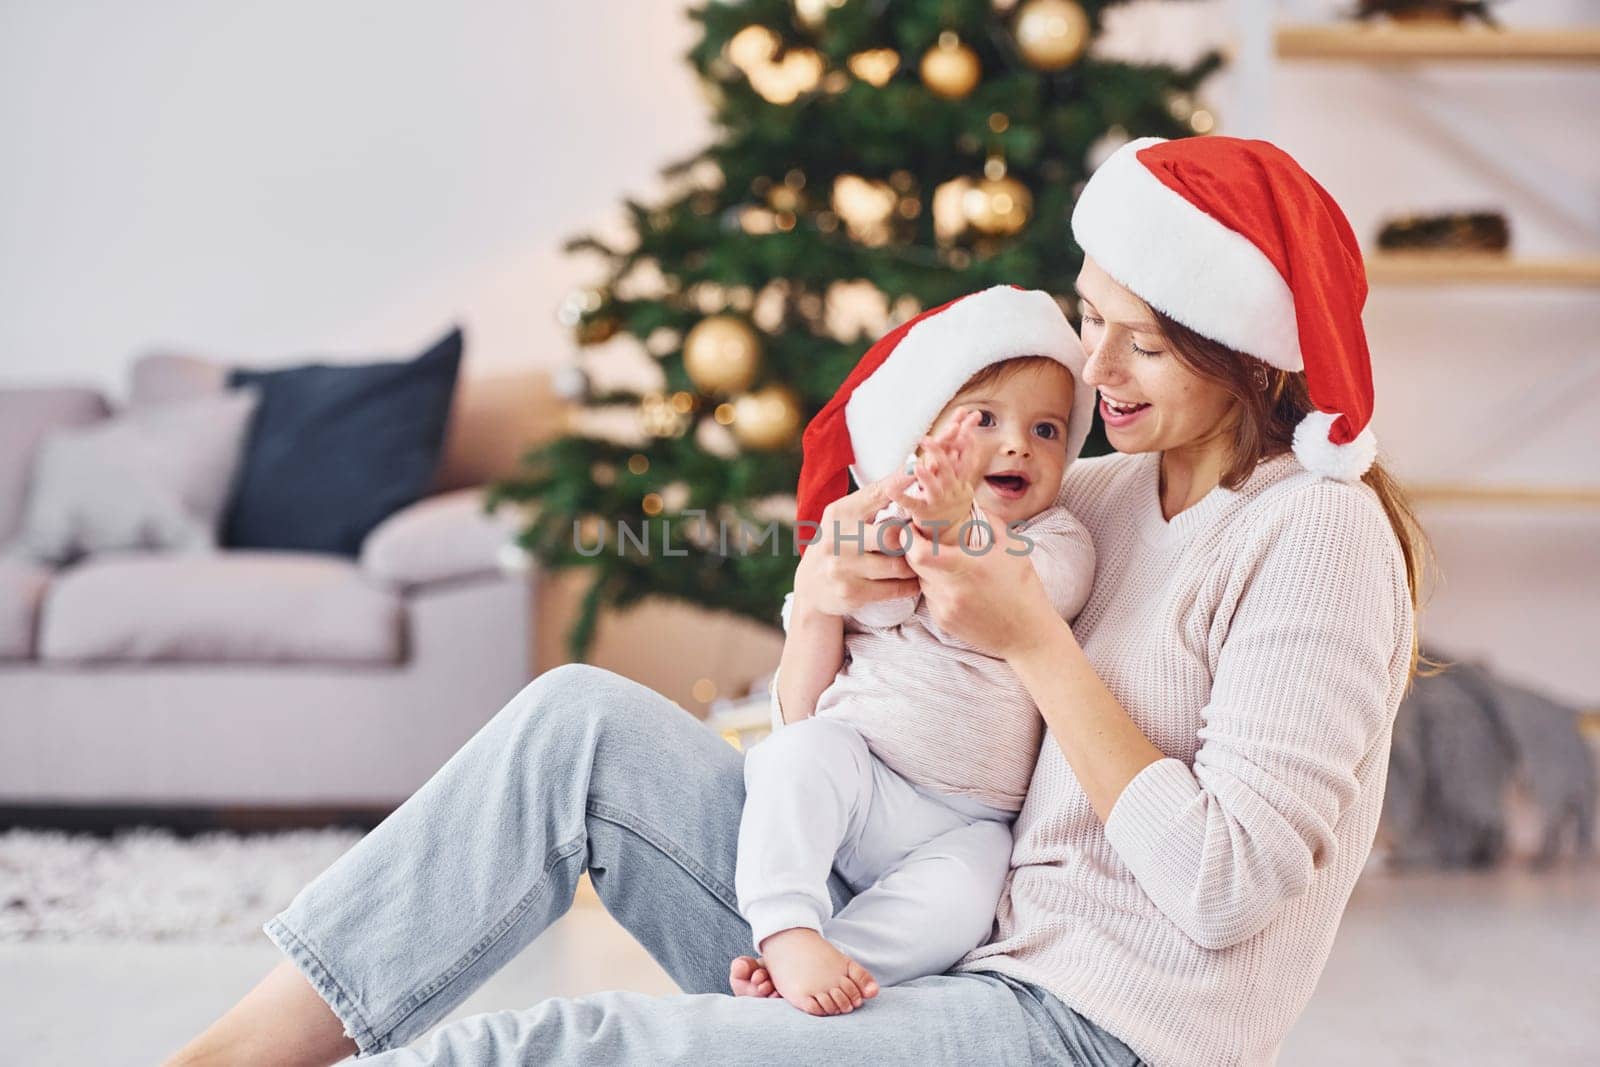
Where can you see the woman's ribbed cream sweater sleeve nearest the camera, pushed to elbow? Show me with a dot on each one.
(1300, 697)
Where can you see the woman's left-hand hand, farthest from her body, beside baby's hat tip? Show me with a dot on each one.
(841, 573)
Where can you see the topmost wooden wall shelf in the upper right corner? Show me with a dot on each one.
(1418, 44)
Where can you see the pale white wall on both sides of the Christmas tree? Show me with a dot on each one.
(345, 178)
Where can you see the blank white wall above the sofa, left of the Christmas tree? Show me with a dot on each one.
(318, 178)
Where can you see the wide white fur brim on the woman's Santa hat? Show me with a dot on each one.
(1182, 262)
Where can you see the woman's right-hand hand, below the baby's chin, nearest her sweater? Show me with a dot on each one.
(993, 601)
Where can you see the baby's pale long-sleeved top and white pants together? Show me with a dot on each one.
(906, 780)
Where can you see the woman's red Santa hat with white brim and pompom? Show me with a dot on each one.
(1239, 244)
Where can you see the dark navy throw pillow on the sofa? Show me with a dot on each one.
(337, 449)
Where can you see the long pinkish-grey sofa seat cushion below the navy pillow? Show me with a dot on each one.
(223, 607)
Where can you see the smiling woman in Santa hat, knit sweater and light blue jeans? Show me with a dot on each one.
(1218, 719)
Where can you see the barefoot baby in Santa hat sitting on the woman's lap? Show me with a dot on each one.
(911, 767)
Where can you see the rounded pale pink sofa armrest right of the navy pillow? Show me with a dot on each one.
(439, 540)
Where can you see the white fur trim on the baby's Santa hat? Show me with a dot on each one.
(898, 402)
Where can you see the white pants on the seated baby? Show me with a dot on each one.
(927, 868)
